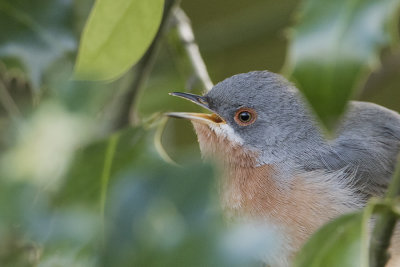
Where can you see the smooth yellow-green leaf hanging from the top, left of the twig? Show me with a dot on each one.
(116, 35)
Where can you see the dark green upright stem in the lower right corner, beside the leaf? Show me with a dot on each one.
(385, 225)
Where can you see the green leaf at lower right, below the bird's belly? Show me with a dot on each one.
(340, 243)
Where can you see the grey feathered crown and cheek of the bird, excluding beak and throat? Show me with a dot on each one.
(283, 131)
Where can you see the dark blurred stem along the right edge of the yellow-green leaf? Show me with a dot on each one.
(125, 116)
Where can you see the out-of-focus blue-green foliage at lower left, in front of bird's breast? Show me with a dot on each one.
(155, 214)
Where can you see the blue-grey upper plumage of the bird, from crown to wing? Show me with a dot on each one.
(284, 131)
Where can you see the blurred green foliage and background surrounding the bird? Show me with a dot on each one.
(76, 192)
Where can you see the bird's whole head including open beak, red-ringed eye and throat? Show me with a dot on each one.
(256, 118)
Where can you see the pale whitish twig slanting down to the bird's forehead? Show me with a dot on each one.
(192, 50)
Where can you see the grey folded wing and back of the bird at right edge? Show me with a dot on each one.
(367, 145)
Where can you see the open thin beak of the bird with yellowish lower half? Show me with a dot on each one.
(199, 117)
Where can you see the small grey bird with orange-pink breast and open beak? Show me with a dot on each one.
(278, 166)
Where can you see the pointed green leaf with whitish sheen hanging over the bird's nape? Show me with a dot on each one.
(334, 46)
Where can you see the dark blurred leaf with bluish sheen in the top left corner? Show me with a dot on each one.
(35, 34)
